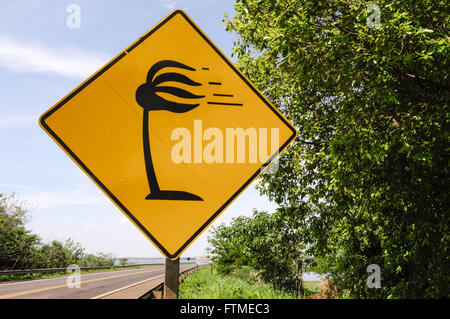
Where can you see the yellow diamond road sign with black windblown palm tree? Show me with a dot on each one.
(171, 132)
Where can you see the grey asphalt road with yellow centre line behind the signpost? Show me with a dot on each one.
(91, 285)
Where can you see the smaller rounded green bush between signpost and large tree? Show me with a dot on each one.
(272, 244)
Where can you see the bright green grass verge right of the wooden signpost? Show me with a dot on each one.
(203, 284)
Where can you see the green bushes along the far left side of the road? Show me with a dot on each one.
(21, 249)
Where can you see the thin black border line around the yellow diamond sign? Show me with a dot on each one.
(106, 190)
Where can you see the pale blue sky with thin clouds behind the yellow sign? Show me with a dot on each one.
(41, 60)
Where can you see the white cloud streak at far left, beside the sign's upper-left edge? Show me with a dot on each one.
(37, 58)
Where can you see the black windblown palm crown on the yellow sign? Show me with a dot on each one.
(146, 95)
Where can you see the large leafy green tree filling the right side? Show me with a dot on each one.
(371, 108)
